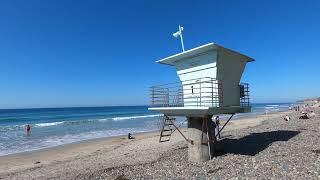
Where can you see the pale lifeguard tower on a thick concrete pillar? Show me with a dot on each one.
(209, 85)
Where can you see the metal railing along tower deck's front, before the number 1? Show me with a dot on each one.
(195, 92)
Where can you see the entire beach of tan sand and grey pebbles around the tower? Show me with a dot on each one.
(261, 147)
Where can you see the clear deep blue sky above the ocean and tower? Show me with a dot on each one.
(94, 53)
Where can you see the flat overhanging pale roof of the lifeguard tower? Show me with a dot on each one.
(200, 50)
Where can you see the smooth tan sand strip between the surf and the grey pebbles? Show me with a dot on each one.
(111, 151)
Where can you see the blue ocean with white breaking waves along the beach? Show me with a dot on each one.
(57, 126)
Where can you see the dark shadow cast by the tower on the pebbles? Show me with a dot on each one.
(253, 143)
